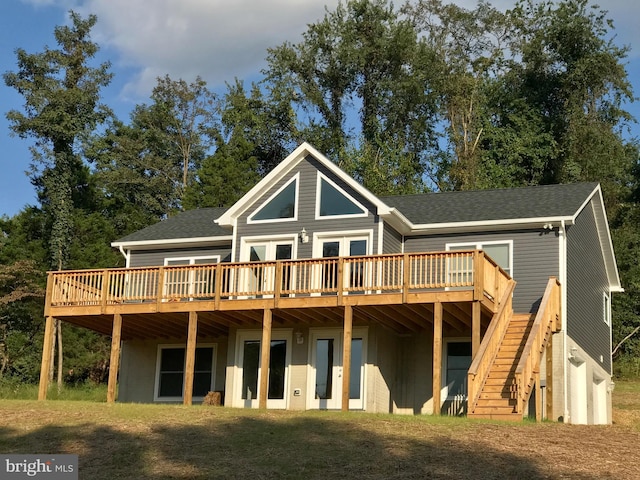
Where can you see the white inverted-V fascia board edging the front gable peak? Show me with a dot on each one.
(304, 149)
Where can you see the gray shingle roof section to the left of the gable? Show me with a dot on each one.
(189, 224)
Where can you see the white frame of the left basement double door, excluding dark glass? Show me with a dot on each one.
(285, 334)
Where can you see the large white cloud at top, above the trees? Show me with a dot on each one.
(216, 39)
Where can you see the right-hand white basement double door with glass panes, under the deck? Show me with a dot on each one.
(325, 369)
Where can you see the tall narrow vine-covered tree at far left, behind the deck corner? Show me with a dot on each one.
(62, 92)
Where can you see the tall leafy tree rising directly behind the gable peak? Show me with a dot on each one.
(361, 57)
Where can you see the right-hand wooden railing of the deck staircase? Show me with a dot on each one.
(545, 323)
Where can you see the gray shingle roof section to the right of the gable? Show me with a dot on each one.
(486, 205)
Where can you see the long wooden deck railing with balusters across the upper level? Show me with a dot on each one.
(371, 274)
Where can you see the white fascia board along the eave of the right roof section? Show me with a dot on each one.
(475, 226)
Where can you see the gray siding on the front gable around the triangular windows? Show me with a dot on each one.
(306, 212)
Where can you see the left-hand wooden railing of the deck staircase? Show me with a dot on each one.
(479, 369)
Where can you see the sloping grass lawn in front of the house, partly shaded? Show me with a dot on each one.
(162, 441)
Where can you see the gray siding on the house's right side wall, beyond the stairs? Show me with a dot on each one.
(587, 282)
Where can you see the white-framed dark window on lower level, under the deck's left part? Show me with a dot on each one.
(170, 372)
